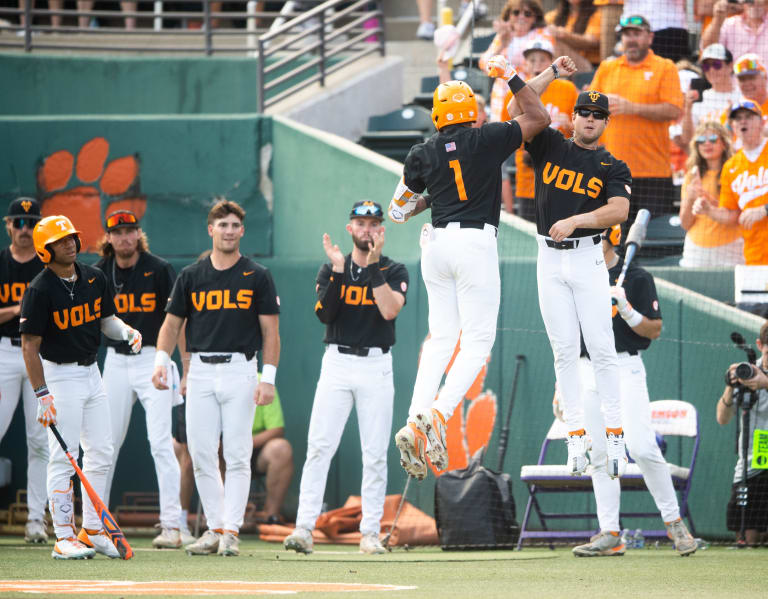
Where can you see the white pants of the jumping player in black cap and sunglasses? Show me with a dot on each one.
(574, 299)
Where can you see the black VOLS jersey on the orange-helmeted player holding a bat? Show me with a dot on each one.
(67, 315)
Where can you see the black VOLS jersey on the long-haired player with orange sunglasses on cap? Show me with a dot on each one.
(141, 294)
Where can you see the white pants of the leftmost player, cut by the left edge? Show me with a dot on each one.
(14, 383)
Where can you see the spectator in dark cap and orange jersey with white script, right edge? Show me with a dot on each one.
(744, 184)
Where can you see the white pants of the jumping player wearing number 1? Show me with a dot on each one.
(460, 268)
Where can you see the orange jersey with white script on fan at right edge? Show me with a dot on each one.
(744, 184)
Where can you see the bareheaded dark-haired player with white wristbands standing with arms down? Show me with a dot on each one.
(232, 310)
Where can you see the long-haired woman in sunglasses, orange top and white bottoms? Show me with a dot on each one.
(707, 242)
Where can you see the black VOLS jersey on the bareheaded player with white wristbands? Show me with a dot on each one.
(222, 307)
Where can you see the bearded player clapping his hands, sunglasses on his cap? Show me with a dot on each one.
(358, 298)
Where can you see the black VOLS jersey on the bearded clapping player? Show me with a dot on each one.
(346, 305)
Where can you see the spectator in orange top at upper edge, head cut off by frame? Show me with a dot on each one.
(575, 27)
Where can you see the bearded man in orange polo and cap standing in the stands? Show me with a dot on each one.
(645, 98)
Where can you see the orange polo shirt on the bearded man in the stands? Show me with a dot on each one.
(642, 143)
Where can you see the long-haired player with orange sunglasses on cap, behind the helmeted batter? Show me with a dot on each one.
(141, 283)
